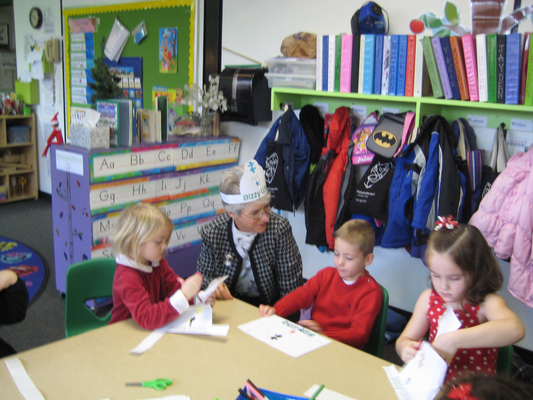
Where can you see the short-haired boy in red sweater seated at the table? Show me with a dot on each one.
(346, 299)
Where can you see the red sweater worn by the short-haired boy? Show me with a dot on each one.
(345, 312)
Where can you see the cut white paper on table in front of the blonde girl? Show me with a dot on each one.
(196, 320)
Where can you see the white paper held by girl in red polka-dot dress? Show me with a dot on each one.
(421, 378)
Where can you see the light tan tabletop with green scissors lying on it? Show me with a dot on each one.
(95, 365)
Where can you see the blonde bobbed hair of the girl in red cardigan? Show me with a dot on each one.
(135, 226)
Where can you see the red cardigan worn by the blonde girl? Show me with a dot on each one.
(144, 295)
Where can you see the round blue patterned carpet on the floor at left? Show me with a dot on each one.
(26, 263)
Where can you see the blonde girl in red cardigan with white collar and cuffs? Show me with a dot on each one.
(145, 287)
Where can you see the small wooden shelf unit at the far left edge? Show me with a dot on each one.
(19, 178)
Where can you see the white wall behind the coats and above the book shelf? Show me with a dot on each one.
(256, 30)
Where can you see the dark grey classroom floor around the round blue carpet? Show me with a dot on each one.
(30, 222)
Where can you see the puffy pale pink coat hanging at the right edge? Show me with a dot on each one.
(505, 217)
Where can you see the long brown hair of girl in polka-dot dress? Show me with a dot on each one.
(468, 249)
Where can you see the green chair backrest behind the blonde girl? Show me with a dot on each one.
(87, 280)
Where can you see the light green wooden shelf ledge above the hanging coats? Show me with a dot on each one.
(492, 114)
